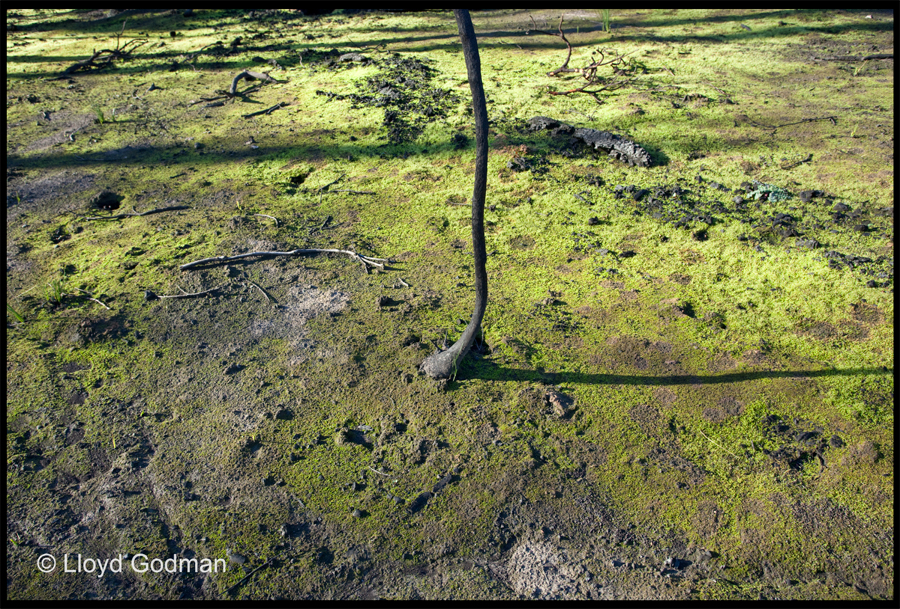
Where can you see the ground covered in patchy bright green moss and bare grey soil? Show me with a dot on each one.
(733, 398)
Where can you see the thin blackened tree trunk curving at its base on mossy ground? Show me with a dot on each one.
(443, 364)
